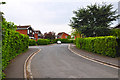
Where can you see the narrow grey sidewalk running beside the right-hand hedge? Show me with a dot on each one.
(95, 56)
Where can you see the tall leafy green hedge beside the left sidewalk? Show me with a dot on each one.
(13, 44)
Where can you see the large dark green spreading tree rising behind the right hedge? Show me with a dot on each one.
(94, 20)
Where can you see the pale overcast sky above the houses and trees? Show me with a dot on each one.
(46, 15)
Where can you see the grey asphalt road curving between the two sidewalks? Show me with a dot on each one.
(57, 61)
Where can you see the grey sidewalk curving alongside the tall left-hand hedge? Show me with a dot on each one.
(16, 67)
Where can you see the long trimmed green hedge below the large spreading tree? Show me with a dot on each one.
(107, 45)
